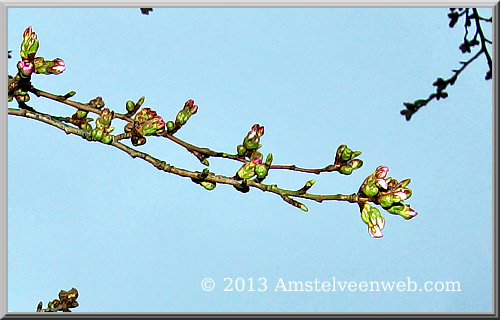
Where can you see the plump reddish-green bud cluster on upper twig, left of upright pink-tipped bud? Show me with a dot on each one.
(146, 123)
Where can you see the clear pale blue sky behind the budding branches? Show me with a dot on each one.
(133, 239)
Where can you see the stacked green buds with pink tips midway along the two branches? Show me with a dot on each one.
(254, 166)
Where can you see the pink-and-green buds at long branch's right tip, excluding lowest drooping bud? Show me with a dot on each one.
(388, 192)
